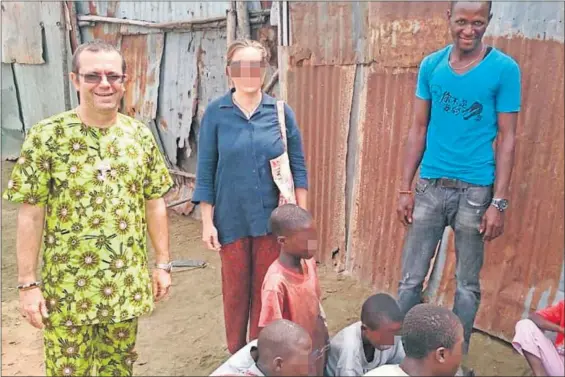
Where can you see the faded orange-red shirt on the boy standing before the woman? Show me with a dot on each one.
(296, 297)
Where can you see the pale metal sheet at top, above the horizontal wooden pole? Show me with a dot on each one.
(154, 11)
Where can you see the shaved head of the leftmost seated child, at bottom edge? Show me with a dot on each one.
(284, 349)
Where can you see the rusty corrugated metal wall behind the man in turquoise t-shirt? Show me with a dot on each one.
(383, 43)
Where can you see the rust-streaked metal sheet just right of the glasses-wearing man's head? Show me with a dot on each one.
(143, 58)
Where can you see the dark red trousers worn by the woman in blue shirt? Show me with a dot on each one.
(244, 265)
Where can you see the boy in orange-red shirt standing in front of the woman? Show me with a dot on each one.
(290, 289)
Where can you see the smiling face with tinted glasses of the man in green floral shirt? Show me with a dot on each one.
(100, 80)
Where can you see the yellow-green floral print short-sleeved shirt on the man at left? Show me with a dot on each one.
(94, 184)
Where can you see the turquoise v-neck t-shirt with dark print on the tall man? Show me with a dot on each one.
(463, 115)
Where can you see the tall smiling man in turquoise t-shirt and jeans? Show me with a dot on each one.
(467, 95)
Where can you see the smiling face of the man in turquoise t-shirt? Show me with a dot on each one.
(468, 23)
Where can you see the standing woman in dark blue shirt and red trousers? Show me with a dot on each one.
(239, 135)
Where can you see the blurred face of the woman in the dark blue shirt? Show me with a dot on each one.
(247, 70)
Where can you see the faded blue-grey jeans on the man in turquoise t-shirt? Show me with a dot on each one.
(441, 203)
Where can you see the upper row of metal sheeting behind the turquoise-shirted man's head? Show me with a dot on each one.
(384, 31)
